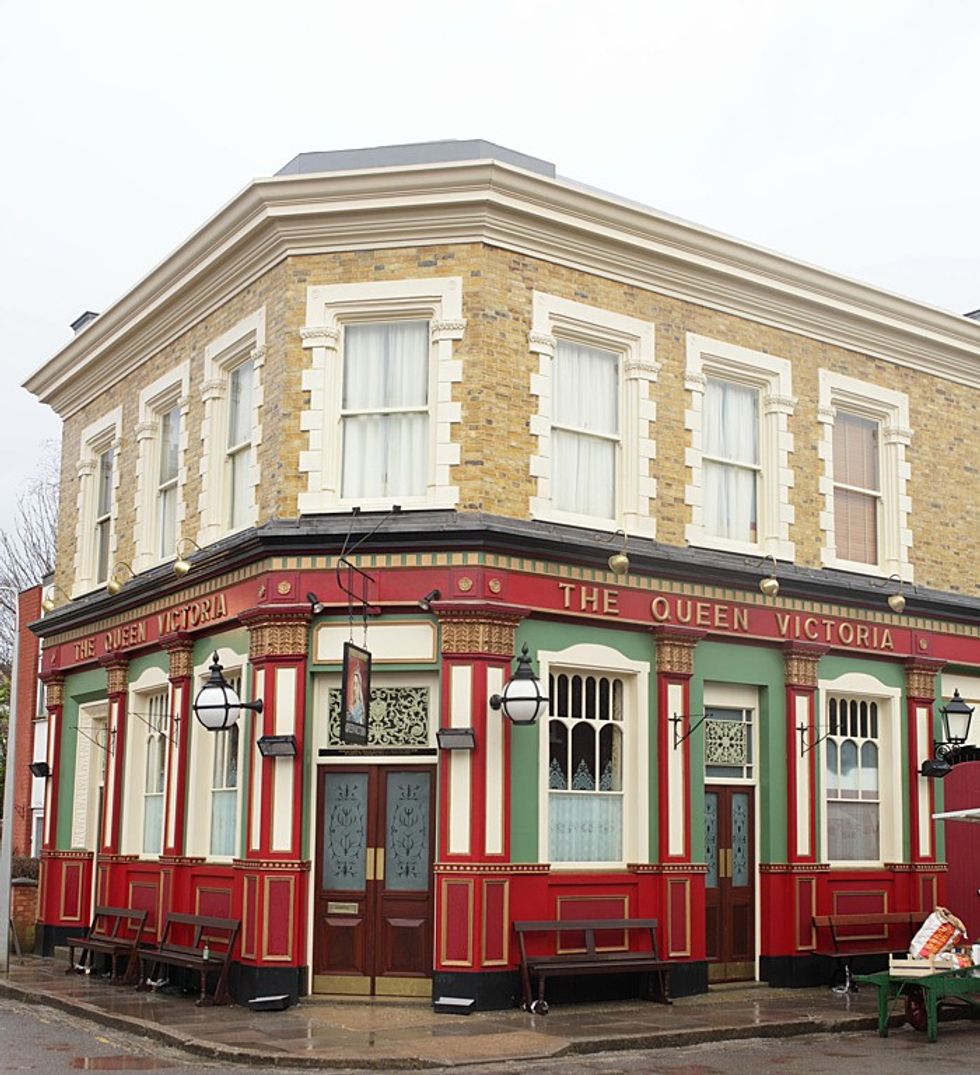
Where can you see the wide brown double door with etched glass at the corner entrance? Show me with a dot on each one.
(374, 901)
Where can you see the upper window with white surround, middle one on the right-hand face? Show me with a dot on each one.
(741, 449)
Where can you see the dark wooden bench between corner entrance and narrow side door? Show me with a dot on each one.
(592, 947)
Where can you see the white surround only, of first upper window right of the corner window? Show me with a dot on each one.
(555, 319)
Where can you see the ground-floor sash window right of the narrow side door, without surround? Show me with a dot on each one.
(852, 785)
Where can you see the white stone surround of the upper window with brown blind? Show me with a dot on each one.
(891, 411)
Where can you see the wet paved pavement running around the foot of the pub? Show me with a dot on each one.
(359, 1033)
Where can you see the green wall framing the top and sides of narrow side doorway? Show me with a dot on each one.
(754, 666)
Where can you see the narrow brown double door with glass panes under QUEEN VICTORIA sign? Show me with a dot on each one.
(730, 885)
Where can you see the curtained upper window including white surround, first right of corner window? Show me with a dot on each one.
(595, 421)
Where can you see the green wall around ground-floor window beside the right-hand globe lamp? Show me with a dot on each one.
(525, 756)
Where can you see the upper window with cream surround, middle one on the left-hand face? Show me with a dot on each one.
(162, 445)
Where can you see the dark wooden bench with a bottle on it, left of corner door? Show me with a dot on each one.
(196, 943)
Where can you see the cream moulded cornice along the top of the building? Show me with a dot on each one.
(503, 206)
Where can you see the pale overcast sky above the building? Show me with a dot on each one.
(844, 134)
